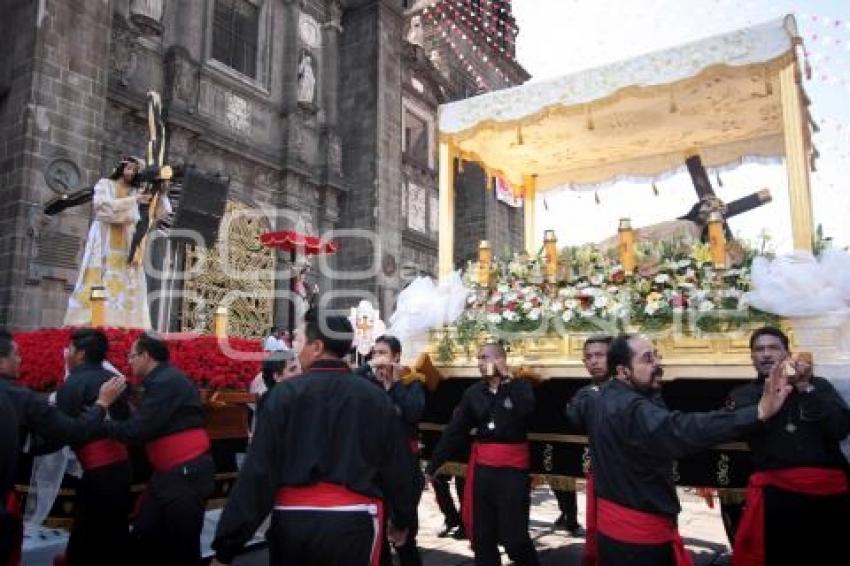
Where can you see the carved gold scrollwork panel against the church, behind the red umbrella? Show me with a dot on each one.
(249, 270)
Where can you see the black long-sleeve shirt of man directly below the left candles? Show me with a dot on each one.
(496, 417)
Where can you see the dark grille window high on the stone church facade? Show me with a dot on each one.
(235, 32)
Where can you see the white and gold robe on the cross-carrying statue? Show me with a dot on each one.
(115, 213)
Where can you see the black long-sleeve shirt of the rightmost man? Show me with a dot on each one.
(805, 432)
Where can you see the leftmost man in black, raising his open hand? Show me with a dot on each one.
(47, 425)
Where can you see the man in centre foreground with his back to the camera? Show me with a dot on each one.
(328, 455)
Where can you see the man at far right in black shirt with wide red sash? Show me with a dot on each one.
(798, 491)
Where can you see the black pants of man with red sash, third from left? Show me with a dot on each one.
(167, 529)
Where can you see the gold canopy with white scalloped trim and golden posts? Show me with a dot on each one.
(729, 98)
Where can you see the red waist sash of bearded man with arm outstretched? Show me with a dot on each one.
(638, 527)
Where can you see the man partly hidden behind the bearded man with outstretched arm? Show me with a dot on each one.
(595, 359)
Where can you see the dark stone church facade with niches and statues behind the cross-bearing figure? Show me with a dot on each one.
(308, 107)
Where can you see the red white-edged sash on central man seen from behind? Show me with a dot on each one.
(325, 496)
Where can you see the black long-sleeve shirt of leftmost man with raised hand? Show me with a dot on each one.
(38, 417)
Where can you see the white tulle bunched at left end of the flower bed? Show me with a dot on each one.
(424, 305)
